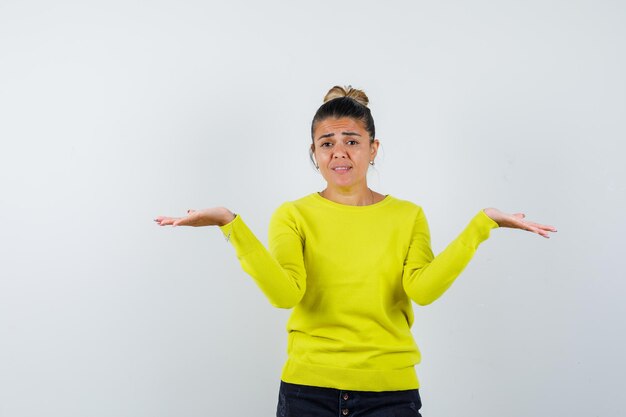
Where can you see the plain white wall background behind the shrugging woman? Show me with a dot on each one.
(114, 112)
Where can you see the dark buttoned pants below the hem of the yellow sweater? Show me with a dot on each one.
(306, 401)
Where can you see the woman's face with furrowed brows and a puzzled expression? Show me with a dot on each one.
(343, 151)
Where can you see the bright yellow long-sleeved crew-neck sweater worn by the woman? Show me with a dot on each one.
(349, 273)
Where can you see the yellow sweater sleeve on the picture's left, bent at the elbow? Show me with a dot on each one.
(279, 272)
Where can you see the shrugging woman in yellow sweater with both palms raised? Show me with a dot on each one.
(349, 260)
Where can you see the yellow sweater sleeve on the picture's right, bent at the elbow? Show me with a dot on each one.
(426, 277)
